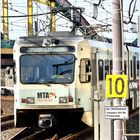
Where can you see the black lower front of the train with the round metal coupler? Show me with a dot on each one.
(49, 118)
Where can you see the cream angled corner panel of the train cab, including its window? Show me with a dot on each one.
(83, 81)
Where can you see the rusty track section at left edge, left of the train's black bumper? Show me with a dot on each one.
(7, 122)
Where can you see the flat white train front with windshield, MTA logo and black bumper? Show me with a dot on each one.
(45, 86)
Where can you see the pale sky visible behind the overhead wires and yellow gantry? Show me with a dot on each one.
(18, 26)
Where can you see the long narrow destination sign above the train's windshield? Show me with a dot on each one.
(47, 49)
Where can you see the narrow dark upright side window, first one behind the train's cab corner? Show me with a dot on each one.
(101, 69)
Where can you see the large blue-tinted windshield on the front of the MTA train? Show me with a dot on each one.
(41, 69)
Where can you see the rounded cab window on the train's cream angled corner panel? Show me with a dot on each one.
(85, 70)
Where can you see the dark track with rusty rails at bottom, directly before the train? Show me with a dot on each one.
(42, 134)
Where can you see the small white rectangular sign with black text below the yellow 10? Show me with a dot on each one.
(117, 112)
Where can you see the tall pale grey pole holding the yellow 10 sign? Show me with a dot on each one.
(117, 52)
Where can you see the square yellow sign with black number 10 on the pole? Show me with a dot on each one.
(116, 86)
